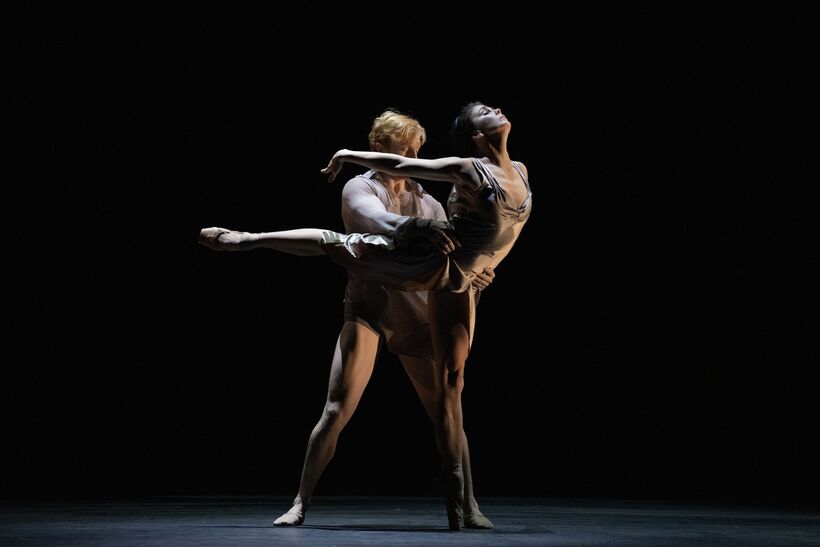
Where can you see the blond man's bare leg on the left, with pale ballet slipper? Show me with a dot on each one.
(353, 362)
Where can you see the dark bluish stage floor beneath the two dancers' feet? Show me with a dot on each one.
(243, 521)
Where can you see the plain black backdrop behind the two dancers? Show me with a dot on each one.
(652, 334)
